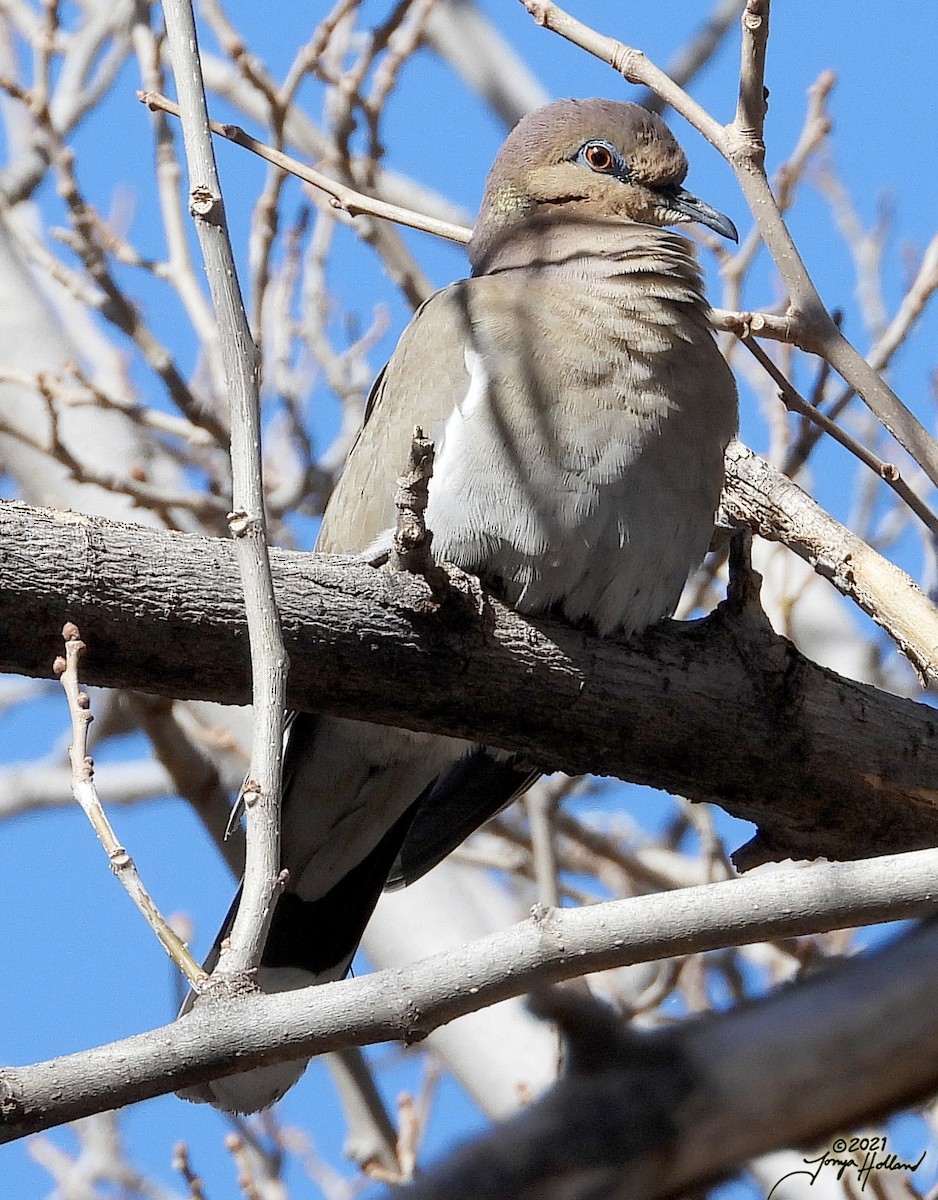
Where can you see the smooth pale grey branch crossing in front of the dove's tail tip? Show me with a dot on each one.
(408, 1004)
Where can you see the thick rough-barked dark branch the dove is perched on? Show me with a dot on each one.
(720, 711)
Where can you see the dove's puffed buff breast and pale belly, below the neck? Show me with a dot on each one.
(582, 466)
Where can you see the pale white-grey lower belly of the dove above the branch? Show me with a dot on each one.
(591, 517)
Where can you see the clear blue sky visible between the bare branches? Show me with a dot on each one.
(79, 967)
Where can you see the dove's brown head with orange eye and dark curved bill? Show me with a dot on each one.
(590, 160)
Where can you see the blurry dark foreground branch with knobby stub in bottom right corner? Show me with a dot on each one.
(641, 1117)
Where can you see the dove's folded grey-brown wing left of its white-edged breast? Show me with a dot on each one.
(422, 386)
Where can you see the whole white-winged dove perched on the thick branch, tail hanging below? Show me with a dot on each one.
(580, 411)
